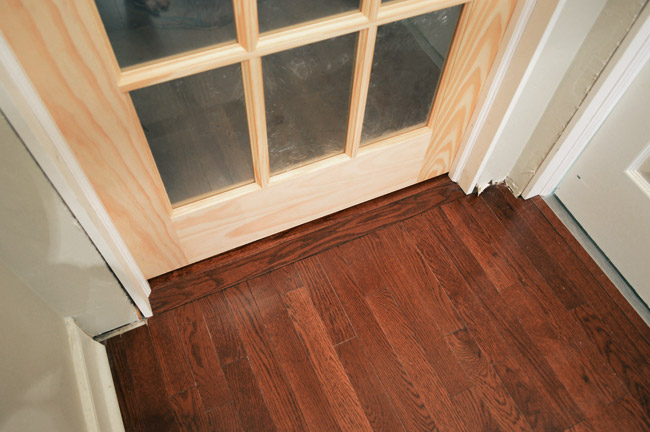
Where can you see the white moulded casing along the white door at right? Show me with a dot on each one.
(625, 65)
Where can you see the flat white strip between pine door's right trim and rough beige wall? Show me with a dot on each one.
(574, 23)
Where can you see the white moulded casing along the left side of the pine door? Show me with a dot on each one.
(30, 118)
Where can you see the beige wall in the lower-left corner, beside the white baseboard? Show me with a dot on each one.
(39, 388)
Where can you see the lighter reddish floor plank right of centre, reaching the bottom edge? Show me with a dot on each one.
(412, 357)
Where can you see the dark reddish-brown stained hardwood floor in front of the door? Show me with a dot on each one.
(481, 313)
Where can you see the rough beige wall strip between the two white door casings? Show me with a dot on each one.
(608, 31)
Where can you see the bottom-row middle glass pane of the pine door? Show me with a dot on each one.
(307, 95)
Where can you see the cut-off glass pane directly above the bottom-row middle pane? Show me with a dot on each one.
(275, 14)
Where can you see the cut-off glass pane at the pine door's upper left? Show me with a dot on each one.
(143, 30)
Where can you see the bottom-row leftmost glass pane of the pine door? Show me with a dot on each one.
(198, 133)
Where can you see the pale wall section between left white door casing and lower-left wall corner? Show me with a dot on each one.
(41, 242)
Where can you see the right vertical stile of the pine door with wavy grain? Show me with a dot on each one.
(480, 30)
